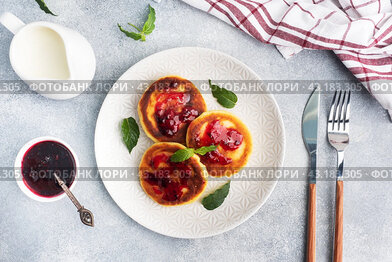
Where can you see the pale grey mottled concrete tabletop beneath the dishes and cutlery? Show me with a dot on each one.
(32, 231)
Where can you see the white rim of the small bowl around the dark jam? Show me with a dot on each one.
(18, 169)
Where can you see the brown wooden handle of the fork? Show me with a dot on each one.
(338, 243)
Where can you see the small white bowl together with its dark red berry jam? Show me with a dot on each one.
(36, 164)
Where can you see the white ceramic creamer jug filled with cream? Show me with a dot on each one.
(53, 60)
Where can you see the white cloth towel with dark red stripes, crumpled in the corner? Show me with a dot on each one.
(359, 31)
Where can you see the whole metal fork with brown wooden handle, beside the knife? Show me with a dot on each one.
(338, 129)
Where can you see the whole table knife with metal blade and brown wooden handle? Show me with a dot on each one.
(309, 135)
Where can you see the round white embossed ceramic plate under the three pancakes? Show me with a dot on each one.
(259, 112)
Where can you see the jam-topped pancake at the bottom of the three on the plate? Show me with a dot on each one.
(170, 183)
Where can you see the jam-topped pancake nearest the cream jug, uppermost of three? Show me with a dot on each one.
(167, 108)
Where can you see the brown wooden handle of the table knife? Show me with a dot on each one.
(311, 246)
